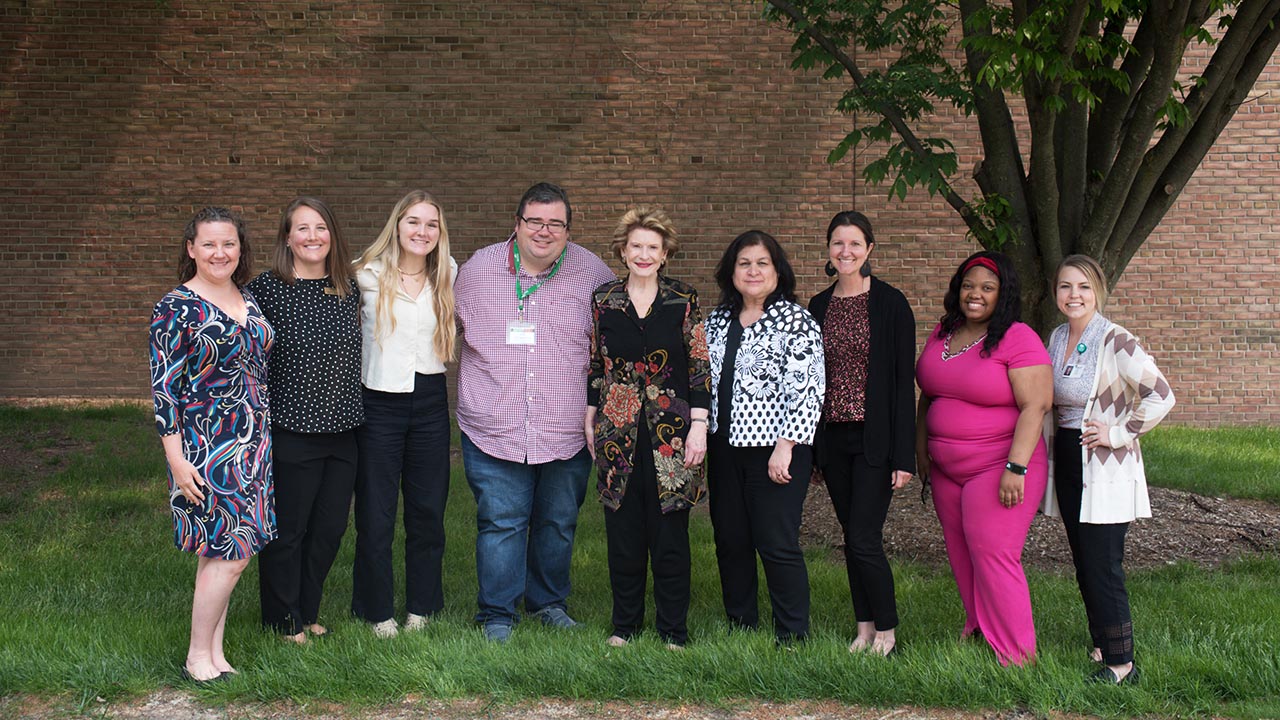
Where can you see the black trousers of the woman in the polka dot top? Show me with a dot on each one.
(314, 476)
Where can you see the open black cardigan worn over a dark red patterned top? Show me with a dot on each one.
(889, 435)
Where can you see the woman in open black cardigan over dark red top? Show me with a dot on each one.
(866, 446)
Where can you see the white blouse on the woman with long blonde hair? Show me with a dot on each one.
(391, 362)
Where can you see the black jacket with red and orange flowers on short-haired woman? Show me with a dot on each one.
(653, 370)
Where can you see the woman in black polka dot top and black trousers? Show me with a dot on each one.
(312, 300)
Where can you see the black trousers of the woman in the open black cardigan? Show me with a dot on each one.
(861, 496)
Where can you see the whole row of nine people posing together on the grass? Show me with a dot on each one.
(281, 398)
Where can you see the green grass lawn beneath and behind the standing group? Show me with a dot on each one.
(95, 601)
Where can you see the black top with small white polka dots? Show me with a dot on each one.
(314, 375)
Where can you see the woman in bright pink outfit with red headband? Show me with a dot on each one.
(986, 384)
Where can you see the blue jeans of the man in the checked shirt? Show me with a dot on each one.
(525, 522)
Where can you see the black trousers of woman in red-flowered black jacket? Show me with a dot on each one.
(639, 534)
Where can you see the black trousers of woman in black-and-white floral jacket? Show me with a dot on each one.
(752, 514)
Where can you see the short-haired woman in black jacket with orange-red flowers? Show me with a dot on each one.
(648, 398)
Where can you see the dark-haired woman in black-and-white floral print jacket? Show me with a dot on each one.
(769, 380)
